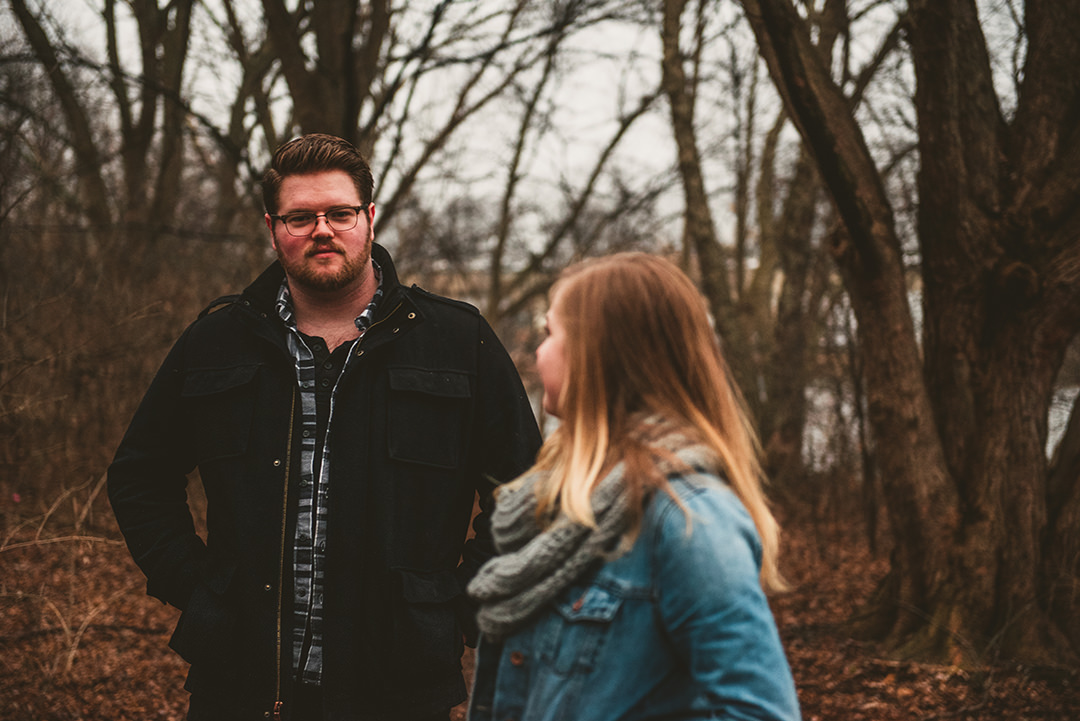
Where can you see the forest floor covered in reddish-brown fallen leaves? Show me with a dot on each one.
(80, 641)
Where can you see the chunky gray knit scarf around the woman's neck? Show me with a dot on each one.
(535, 566)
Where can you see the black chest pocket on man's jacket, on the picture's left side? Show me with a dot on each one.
(221, 403)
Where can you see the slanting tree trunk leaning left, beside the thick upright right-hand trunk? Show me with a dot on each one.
(921, 498)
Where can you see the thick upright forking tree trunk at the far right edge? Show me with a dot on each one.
(993, 345)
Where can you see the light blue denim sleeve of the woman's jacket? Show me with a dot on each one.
(714, 609)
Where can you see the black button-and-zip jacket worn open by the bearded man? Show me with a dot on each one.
(433, 413)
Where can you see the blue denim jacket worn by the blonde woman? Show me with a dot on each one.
(677, 629)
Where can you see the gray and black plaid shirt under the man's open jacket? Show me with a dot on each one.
(309, 547)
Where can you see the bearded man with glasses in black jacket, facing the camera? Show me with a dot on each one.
(342, 425)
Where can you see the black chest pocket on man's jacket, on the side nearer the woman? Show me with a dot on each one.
(428, 416)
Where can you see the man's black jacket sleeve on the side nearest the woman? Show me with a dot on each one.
(505, 443)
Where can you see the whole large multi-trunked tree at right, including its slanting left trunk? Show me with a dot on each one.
(961, 439)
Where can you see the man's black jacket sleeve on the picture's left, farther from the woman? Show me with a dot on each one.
(147, 486)
